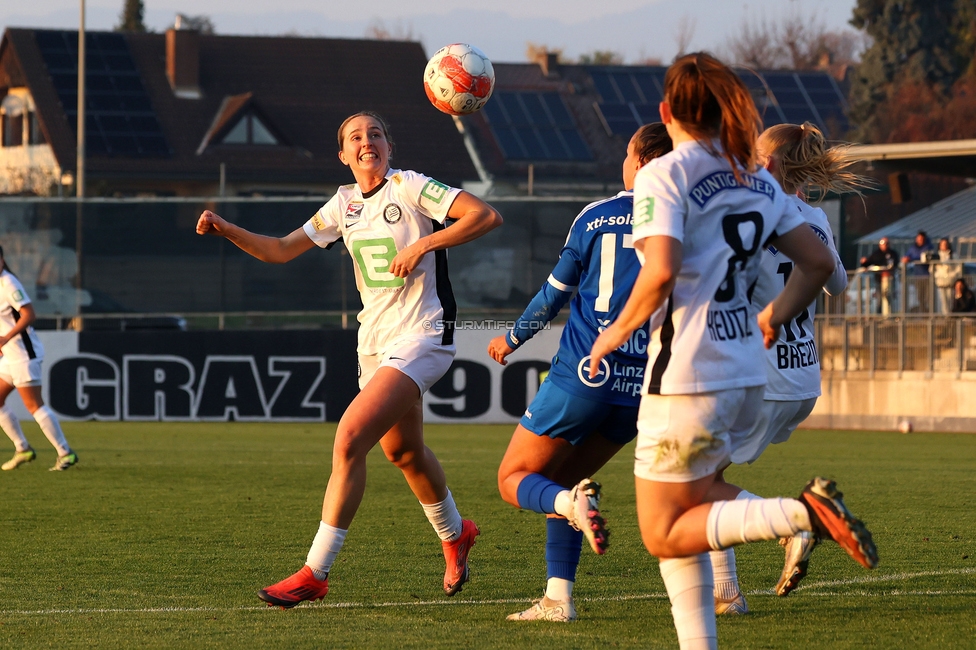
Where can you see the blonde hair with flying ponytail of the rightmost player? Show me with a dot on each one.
(805, 162)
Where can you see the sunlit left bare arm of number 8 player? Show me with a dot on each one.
(654, 284)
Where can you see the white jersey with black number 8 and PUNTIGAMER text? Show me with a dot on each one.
(705, 336)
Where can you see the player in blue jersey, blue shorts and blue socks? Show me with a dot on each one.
(576, 424)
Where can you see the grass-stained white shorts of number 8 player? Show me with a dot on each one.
(682, 438)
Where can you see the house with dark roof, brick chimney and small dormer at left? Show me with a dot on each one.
(166, 113)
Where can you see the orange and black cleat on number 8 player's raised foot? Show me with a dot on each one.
(831, 519)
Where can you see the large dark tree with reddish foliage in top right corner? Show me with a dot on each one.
(918, 46)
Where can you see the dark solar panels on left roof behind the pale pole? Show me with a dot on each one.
(119, 116)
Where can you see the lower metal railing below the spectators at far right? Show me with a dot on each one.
(897, 343)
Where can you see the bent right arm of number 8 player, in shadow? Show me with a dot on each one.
(814, 265)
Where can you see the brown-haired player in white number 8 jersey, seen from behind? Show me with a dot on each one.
(701, 215)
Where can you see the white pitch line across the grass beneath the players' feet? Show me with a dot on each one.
(813, 587)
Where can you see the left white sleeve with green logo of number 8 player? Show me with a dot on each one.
(659, 203)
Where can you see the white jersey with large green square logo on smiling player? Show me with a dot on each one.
(374, 227)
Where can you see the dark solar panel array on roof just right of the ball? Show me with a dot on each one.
(534, 126)
